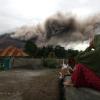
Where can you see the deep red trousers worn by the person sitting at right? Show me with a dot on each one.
(84, 77)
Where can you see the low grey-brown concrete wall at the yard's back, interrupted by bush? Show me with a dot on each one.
(31, 63)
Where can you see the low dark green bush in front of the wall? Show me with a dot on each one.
(49, 63)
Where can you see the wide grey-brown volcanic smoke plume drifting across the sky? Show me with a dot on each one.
(60, 28)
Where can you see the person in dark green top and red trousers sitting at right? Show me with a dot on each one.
(87, 68)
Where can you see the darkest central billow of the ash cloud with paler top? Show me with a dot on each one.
(60, 25)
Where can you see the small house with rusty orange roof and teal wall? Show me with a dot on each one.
(7, 57)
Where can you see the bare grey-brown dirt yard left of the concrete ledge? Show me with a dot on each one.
(29, 85)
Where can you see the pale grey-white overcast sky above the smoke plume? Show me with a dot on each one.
(15, 13)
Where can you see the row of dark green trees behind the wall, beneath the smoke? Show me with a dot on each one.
(48, 51)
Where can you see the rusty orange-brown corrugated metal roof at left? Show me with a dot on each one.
(12, 51)
